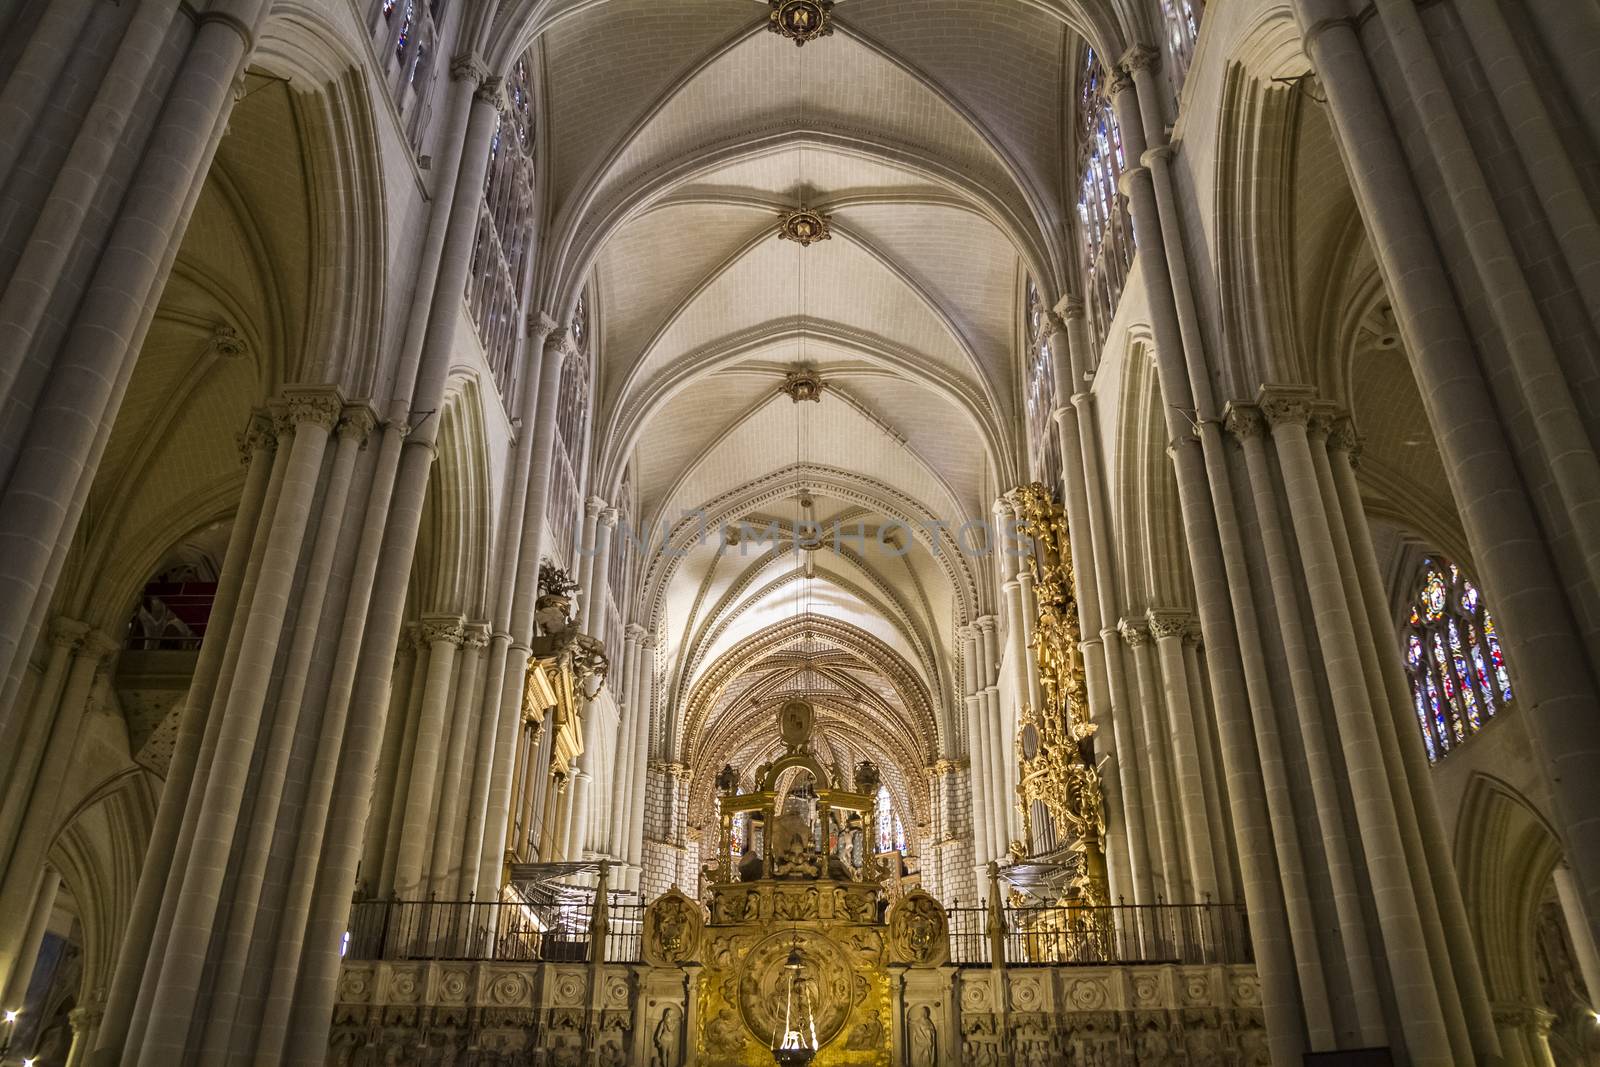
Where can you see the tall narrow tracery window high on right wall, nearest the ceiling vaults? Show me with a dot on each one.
(1106, 234)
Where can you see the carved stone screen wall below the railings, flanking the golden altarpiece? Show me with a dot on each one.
(564, 1015)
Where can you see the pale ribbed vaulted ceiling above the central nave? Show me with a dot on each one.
(674, 140)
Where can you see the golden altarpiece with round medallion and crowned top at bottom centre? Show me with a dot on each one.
(799, 941)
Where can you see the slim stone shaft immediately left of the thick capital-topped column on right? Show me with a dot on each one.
(1326, 777)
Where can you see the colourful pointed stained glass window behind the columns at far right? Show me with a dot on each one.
(1454, 657)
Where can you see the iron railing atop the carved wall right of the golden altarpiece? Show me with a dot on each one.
(1106, 937)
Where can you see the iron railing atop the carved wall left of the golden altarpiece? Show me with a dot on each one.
(494, 930)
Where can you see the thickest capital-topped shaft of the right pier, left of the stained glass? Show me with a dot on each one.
(1394, 895)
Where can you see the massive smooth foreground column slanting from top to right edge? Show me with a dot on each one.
(1503, 524)
